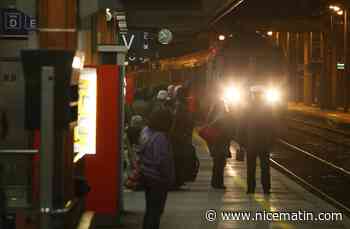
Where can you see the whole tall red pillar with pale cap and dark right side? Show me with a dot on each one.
(109, 145)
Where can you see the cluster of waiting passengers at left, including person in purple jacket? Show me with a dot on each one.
(159, 140)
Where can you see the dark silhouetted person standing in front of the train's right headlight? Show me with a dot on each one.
(261, 133)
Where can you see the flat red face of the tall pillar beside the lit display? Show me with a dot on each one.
(103, 168)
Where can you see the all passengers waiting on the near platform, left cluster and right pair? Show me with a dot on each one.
(160, 133)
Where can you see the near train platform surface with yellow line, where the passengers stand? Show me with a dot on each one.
(200, 206)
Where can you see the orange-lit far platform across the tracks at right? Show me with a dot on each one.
(336, 117)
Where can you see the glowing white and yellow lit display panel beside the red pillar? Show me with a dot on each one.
(85, 133)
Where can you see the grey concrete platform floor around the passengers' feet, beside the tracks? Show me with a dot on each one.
(187, 209)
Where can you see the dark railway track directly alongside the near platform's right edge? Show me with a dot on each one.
(320, 176)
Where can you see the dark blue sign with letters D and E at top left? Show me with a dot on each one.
(14, 23)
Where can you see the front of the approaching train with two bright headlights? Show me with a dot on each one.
(247, 63)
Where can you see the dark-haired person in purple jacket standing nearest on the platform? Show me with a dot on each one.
(157, 166)
